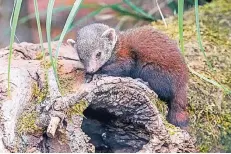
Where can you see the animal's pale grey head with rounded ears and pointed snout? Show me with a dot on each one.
(94, 45)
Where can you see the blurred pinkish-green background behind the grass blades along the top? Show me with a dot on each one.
(116, 13)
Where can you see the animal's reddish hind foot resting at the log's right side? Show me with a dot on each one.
(179, 119)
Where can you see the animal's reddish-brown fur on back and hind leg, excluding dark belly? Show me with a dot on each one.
(156, 49)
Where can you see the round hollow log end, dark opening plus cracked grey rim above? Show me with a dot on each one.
(120, 115)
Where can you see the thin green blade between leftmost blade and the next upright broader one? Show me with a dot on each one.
(39, 26)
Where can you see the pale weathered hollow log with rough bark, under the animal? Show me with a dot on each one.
(120, 114)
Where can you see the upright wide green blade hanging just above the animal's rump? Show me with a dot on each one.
(180, 23)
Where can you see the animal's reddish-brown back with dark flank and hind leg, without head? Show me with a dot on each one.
(158, 61)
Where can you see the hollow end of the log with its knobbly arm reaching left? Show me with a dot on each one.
(124, 106)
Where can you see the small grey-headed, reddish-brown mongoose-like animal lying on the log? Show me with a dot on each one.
(143, 53)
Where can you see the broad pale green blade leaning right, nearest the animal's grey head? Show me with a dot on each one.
(67, 25)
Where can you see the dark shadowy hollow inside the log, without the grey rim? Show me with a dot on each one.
(111, 133)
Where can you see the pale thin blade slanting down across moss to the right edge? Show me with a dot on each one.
(227, 91)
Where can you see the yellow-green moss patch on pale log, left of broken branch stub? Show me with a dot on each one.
(26, 123)
